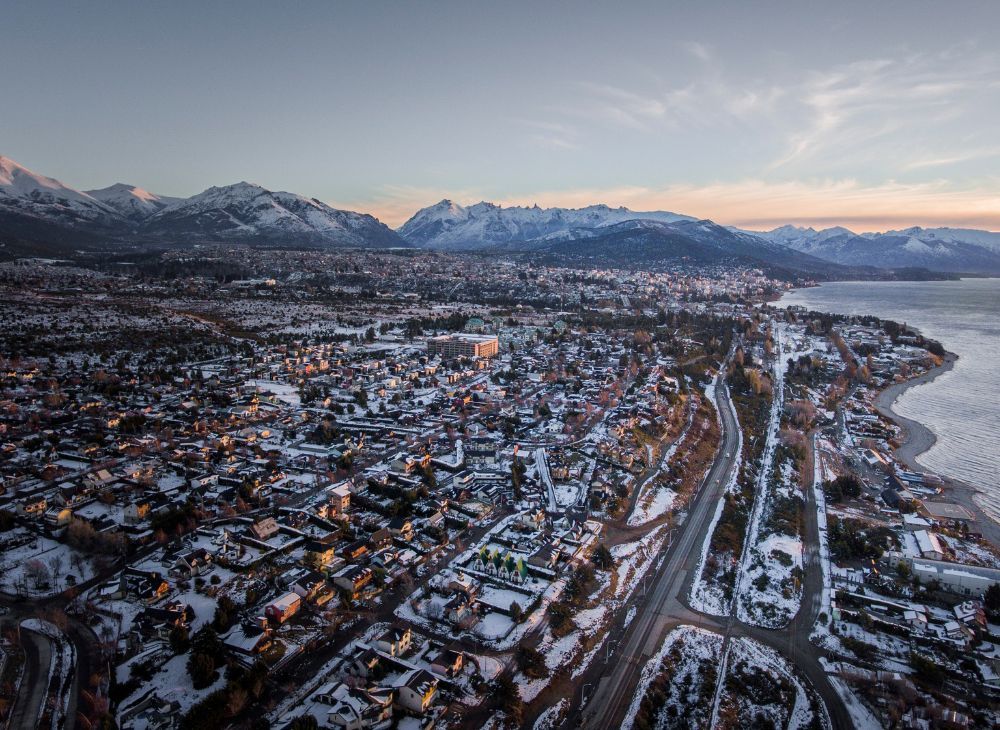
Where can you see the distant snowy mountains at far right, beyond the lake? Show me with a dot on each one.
(941, 249)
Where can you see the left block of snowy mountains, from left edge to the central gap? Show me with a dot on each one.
(39, 213)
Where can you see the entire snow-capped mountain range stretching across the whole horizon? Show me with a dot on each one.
(39, 215)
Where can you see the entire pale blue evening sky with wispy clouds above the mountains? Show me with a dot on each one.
(873, 115)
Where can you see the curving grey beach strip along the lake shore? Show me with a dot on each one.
(916, 439)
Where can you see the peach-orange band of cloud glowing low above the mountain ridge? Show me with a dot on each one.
(754, 204)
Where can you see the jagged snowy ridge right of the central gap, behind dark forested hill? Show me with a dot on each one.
(447, 225)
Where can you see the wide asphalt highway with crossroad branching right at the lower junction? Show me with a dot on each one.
(614, 683)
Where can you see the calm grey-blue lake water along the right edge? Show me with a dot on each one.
(961, 407)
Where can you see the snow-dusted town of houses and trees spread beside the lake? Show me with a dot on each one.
(368, 489)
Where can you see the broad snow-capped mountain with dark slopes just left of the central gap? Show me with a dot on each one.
(235, 212)
